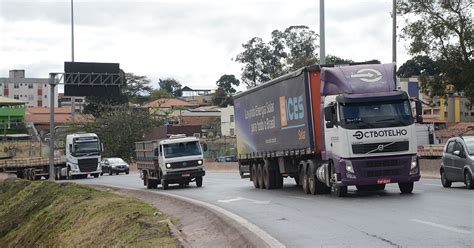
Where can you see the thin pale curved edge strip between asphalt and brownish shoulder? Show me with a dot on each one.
(266, 238)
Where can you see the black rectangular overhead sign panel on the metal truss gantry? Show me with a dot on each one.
(91, 79)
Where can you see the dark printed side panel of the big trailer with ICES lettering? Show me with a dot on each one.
(274, 118)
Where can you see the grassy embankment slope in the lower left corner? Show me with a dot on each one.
(46, 214)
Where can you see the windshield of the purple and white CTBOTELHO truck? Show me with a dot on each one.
(375, 114)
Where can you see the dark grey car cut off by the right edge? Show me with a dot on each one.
(458, 162)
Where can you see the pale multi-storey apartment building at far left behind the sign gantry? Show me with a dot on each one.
(34, 91)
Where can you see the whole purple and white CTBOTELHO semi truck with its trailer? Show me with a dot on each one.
(329, 127)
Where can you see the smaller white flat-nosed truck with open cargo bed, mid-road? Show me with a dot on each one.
(177, 160)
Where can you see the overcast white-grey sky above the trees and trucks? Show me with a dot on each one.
(193, 41)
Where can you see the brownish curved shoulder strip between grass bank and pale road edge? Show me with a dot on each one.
(199, 226)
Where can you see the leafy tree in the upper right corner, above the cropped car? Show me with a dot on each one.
(444, 31)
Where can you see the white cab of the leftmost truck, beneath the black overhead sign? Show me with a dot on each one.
(83, 154)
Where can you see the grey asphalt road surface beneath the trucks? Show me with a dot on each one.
(430, 217)
